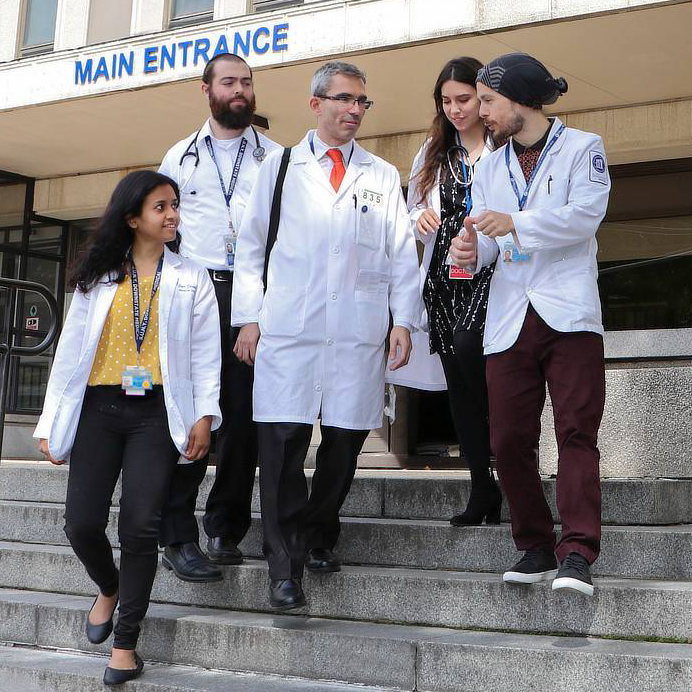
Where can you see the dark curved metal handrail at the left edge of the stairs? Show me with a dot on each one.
(7, 349)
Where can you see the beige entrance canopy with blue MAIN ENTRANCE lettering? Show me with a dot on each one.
(50, 126)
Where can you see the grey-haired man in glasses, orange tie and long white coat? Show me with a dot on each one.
(344, 258)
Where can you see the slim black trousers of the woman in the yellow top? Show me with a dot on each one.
(129, 434)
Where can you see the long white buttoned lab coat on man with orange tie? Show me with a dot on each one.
(335, 273)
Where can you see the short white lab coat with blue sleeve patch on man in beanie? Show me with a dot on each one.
(566, 204)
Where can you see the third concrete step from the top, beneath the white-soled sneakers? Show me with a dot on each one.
(621, 607)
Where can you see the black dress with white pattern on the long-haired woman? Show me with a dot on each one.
(453, 304)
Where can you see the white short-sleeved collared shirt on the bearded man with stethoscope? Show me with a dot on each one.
(203, 212)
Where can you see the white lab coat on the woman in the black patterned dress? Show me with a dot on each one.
(424, 369)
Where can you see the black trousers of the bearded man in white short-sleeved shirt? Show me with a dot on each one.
(228, 510)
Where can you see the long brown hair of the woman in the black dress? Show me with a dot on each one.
(442, 133)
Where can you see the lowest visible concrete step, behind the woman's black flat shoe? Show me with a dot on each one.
(25, 669)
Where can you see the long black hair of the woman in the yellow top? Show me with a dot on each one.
(106, 250)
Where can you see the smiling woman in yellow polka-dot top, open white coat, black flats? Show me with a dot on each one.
(134, 388)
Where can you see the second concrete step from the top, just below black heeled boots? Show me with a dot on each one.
(648, 552)
